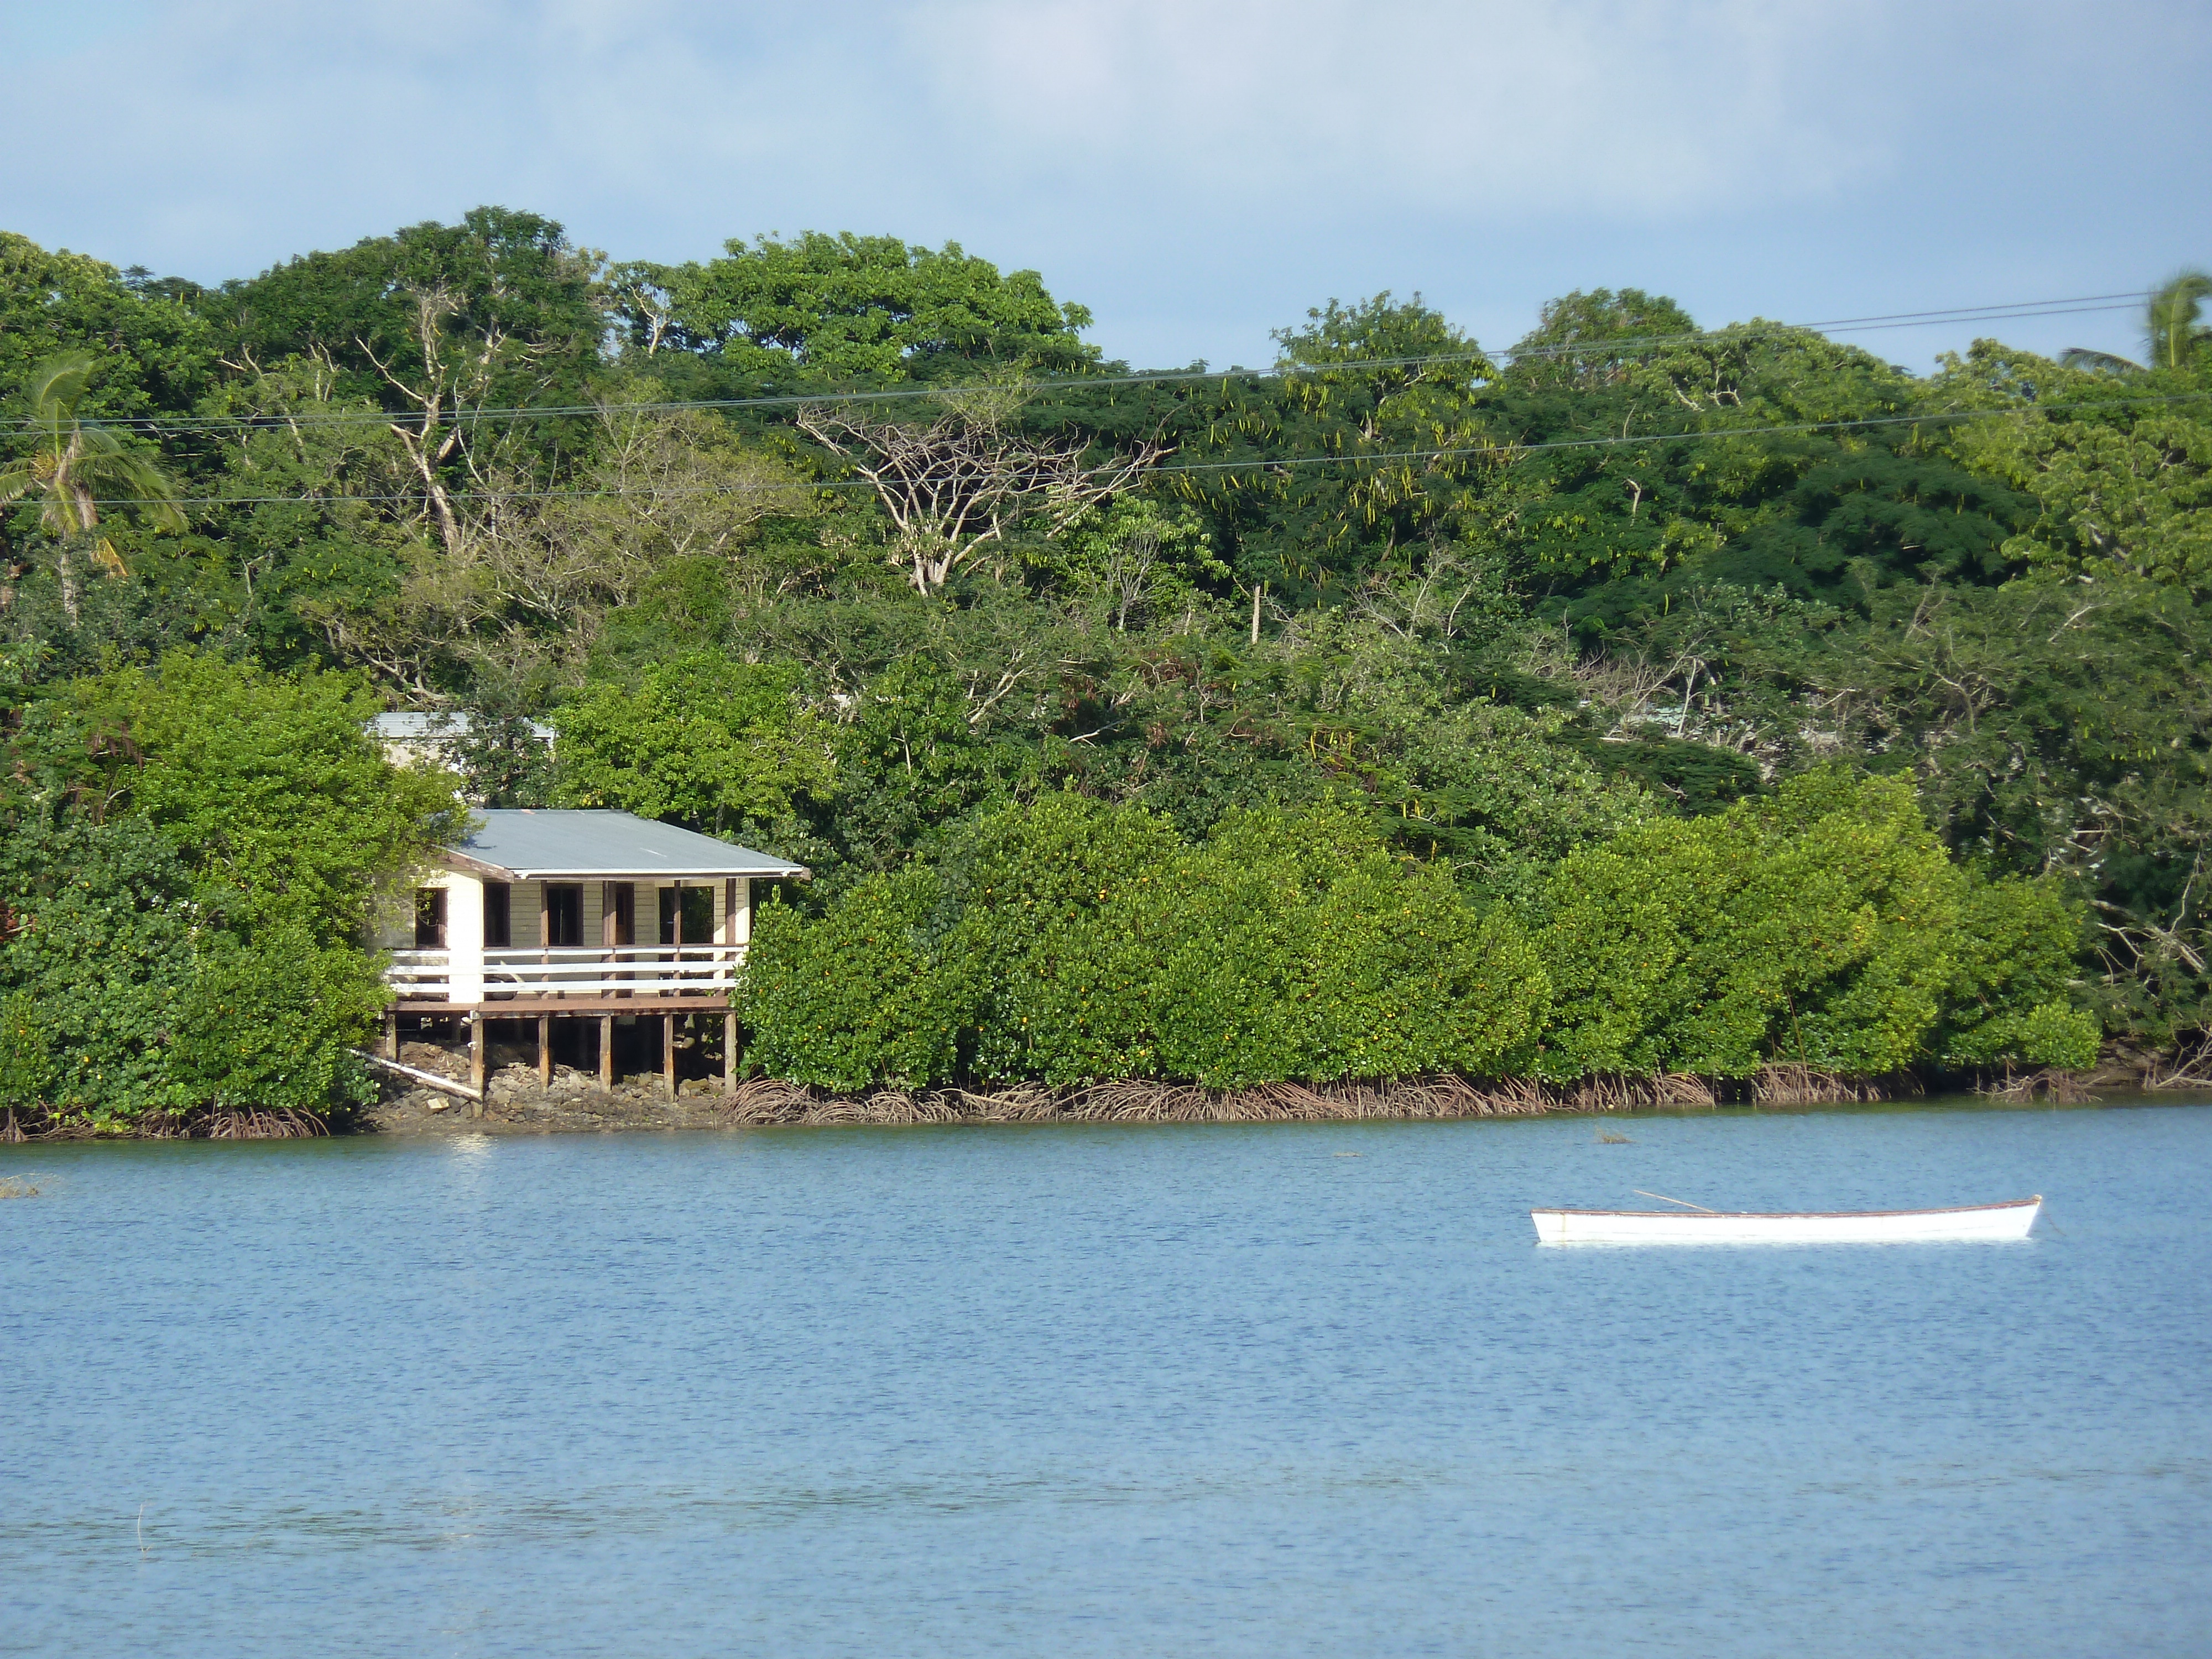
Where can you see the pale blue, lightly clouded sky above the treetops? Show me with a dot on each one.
(1196, 171)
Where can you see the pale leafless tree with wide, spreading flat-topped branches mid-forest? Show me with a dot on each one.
(961, 483)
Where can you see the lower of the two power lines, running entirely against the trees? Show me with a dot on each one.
(1255, 466)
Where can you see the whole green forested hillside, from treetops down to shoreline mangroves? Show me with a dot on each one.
(1638, 700)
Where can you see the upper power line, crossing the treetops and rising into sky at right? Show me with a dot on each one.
(1627, 346)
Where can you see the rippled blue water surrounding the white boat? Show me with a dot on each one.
(1107, 1392)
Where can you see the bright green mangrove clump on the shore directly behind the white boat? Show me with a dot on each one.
(1822, 928)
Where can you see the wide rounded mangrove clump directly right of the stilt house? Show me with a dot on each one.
(1094, 943)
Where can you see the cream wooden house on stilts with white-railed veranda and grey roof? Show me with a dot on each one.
(587, 917)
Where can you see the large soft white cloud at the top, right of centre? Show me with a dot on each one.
(1594, 107)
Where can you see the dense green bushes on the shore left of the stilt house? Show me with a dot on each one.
(191, 862)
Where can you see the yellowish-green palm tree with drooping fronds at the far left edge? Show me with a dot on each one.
(74, 466)
